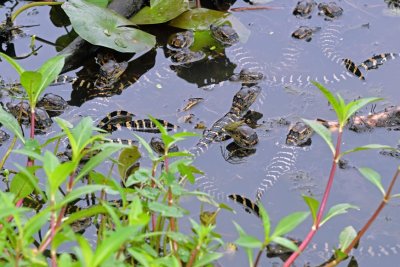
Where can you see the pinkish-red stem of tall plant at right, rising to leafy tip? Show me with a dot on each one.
(321, 209)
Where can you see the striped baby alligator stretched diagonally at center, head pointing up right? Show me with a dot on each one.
(242, 101)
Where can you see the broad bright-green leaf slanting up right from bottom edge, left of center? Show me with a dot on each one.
(112, 243)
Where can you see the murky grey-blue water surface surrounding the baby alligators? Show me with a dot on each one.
(161, 93)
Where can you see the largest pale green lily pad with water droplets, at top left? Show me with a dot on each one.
(101, 26)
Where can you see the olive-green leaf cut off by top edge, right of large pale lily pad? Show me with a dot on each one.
(160, 11)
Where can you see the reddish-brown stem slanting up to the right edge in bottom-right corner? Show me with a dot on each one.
(371, 220)
